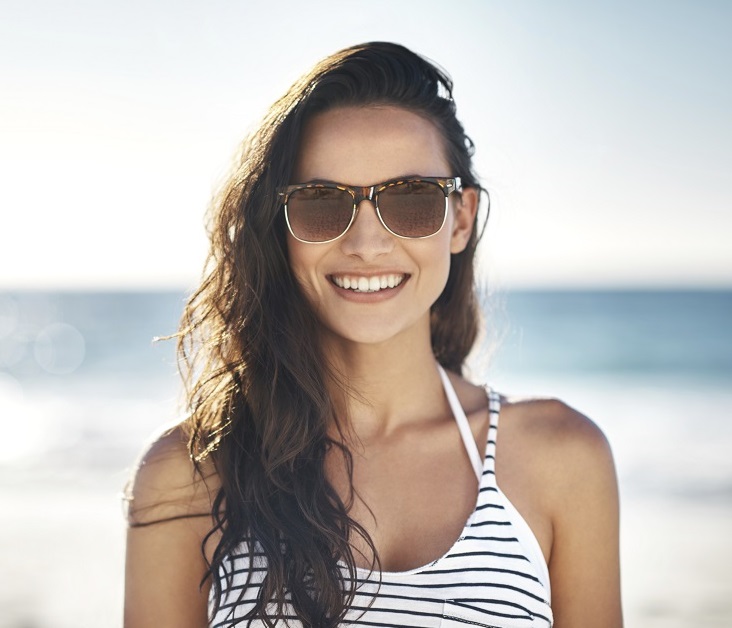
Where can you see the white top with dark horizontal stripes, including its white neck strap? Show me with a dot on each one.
(494, 575)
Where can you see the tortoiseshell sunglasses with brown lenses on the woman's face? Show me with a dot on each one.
(407, 208)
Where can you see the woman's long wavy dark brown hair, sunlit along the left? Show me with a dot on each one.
(256, 377)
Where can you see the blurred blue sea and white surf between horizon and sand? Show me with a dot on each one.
(82, 383)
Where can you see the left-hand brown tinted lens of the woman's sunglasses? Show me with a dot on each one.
(319, 214)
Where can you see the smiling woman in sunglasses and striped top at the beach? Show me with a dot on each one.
(335, 467)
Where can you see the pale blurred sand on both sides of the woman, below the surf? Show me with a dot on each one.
(63, 557)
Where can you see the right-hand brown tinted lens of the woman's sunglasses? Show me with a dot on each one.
(414, 209)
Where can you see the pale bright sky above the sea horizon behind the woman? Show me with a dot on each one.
(603, 130)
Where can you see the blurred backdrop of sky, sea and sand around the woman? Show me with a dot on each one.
(603, 134)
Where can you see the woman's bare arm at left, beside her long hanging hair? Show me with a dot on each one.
(169, 516)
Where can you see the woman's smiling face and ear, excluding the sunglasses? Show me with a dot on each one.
(363, 146)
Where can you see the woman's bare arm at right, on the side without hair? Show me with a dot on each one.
(584, 564)
